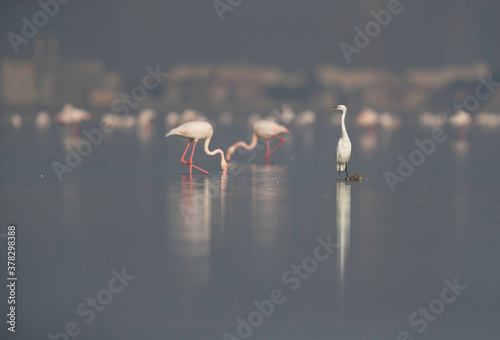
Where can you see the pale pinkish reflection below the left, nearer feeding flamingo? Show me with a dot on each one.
(191, 222)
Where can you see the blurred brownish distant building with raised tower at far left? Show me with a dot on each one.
(45, 80)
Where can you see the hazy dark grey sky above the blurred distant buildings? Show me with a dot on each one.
(129, 35)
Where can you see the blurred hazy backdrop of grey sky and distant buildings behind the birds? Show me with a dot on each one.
(262, 54)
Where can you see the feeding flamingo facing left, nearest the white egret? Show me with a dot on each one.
(263, 129)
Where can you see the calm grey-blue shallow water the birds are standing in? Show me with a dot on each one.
(203, 249)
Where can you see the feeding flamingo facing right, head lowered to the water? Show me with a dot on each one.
(194, 131)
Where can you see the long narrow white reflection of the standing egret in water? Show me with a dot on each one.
(343, 235)
